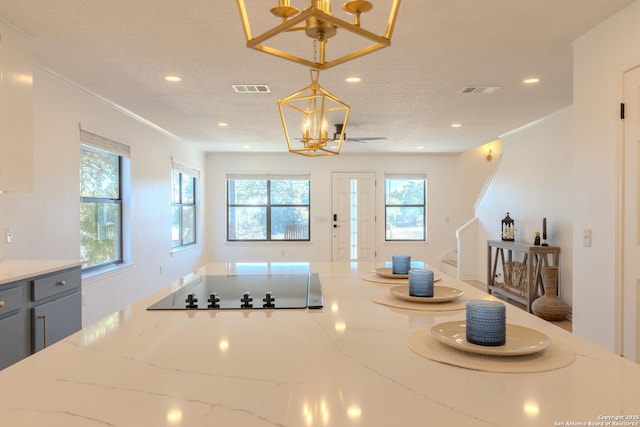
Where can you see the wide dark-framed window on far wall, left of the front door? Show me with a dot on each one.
(276, 208)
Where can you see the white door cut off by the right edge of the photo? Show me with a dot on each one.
(630, 297)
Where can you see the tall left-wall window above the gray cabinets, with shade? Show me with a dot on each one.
(102, 165)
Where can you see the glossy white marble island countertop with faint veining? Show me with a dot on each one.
(348, 364)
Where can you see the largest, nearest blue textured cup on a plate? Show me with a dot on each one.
(486, 322)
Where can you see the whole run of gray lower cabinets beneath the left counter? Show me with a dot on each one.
(38, 312)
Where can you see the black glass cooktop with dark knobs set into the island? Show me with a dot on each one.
(252, 291)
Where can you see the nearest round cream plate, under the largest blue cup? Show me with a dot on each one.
(520, 340)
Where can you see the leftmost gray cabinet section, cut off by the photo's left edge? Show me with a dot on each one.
(14, 344)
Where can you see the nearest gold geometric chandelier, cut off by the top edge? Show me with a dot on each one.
(318, 23)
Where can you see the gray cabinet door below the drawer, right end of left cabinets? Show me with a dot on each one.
(55, 320)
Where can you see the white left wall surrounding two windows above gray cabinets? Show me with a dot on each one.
(46, 222)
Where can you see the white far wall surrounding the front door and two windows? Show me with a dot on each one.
(448, 206)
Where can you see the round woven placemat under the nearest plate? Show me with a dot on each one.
(556, 356)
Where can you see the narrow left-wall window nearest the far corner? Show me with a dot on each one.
(183, 206)
